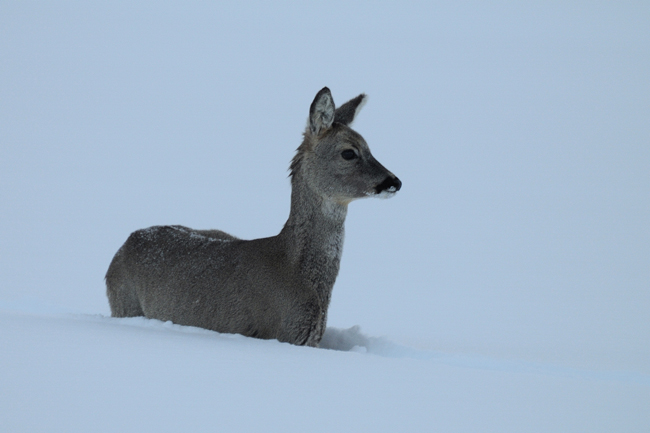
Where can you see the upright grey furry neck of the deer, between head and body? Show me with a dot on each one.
(314, 236)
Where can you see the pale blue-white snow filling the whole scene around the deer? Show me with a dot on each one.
(510, 276)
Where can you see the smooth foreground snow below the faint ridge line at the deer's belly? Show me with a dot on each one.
(78, 373)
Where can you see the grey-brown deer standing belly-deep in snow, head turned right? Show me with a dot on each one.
(277, 287)
